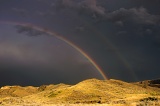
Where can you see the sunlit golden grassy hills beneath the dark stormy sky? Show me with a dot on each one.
(91, 91)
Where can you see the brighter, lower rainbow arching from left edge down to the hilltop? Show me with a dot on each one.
(60, 37)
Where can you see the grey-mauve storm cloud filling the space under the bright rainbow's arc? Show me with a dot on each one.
(37, 63)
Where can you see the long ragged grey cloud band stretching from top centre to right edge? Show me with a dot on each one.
(134, 15)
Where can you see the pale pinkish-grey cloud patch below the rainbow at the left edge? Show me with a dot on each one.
(21, 53)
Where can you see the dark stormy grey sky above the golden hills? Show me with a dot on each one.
(122, 37)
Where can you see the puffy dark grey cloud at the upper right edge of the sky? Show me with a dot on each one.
(134, 15)
